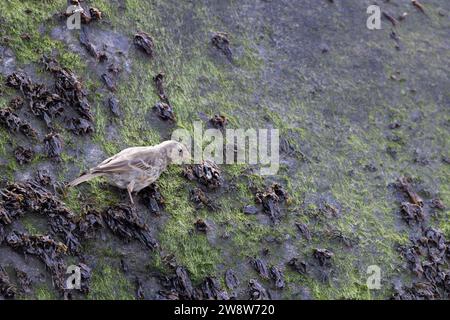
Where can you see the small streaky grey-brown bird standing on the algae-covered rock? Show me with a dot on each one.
(135, 168)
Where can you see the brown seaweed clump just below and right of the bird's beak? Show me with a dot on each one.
(206, 173)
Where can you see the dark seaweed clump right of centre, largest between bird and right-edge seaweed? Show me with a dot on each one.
(270, 200)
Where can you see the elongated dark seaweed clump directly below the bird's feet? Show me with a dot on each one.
(123, 221)
